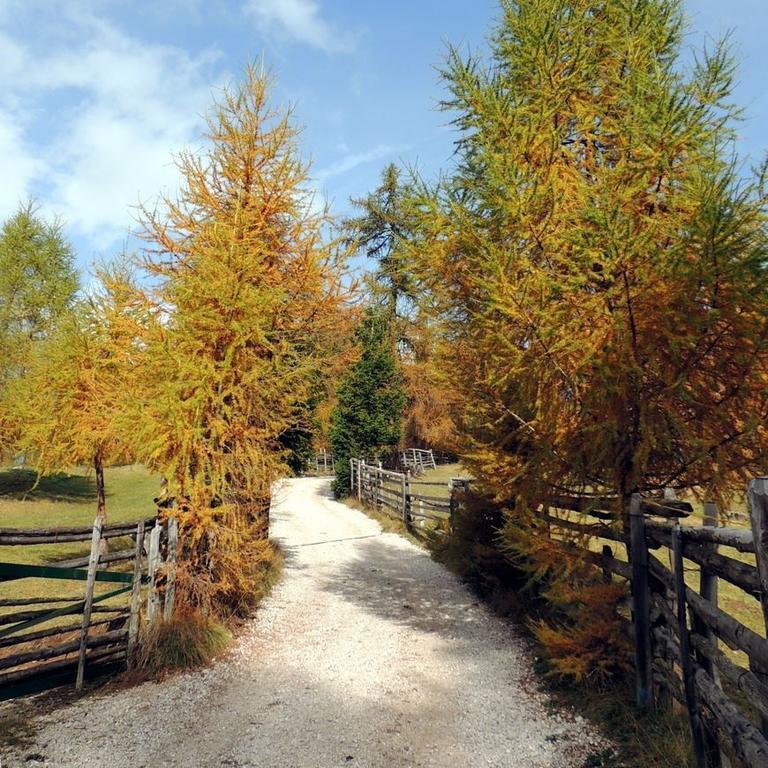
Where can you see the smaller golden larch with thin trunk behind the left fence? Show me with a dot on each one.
(71, 401)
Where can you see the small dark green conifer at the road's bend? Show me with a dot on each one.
(367, 422)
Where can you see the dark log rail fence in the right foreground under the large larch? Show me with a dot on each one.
(677, 627)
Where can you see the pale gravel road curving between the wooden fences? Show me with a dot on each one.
(367, 654)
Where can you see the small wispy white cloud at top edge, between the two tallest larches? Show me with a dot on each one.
(300, 20)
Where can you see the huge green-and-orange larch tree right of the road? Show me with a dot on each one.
(599, 262)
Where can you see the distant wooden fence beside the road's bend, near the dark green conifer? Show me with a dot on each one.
(421, 506)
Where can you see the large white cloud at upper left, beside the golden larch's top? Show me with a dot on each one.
(104, 111)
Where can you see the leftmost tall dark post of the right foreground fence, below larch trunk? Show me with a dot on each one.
(640, 604)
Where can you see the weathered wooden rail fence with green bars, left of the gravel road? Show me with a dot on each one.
(57, 652)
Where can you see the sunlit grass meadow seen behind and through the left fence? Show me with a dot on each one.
(66, 499)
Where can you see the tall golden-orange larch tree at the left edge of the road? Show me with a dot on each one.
(247, 295)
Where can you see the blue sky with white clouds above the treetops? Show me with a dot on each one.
(96, 95)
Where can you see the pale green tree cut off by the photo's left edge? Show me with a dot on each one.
(38, 282)
